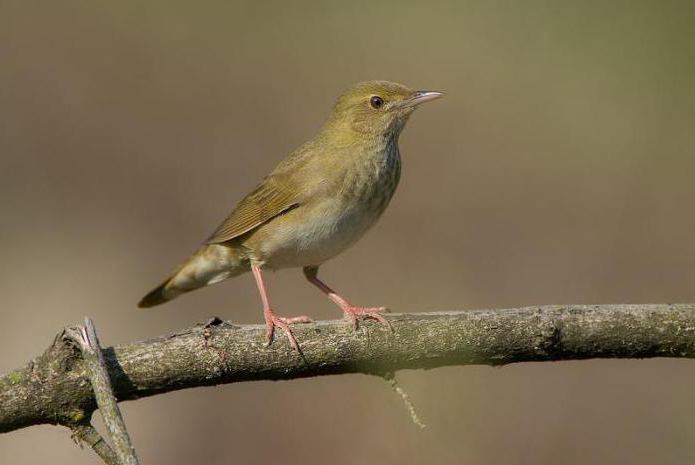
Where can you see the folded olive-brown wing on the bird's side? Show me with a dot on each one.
(271, 198)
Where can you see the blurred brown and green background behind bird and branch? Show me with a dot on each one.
(558, 169)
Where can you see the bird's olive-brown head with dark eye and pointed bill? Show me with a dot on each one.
(376, 108)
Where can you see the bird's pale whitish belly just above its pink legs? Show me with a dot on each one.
(310, 237)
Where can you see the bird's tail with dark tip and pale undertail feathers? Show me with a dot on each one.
(209, 265)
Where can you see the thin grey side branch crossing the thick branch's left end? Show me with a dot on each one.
(86, 338)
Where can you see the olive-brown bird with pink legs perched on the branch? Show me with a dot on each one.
(315, 203)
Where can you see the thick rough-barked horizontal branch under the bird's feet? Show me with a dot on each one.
(55, 388)
